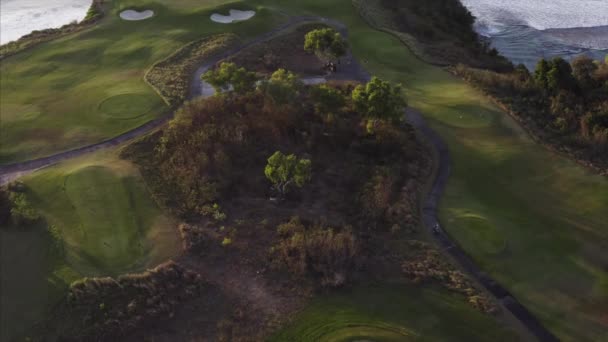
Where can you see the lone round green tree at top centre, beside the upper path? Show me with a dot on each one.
(326, 43)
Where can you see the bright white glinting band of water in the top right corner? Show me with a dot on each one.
(495, 15)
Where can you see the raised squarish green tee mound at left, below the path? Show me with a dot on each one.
(108, 222)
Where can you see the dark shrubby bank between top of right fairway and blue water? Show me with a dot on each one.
(438, 31)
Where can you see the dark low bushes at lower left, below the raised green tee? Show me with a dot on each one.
(105, 308)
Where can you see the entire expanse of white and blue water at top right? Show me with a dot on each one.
(526, 30)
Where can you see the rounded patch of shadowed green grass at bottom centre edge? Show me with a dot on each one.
(392, 314)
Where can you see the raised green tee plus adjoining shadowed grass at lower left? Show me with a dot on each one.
(108, 223)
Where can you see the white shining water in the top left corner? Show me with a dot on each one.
(20, 17)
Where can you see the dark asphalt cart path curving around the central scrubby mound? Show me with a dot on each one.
(349, 69)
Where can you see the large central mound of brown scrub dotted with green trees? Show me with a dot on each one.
(303, 146)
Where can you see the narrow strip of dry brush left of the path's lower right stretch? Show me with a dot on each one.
(429, 265)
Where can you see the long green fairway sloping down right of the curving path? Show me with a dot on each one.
(543, 217)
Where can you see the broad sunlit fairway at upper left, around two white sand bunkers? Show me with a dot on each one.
(87, 87)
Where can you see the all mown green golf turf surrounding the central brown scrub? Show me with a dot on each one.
(533, 220)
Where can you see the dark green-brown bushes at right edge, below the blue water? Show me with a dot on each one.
(564, 104)
